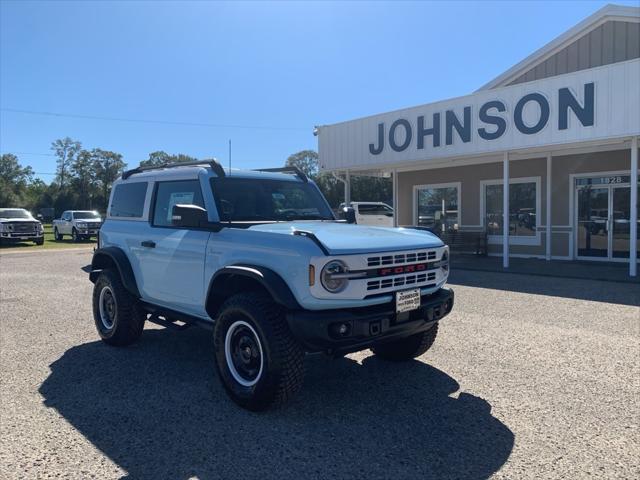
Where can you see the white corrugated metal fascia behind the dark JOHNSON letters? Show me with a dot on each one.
(617, 104)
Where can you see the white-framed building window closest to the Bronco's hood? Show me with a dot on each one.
(438, 206)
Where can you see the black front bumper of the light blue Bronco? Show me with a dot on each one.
(321, 330)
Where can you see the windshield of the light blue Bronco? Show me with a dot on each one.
(249, 199)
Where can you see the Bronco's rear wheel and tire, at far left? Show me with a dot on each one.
(117, 314)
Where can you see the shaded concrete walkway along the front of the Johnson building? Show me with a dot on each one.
(605, 271)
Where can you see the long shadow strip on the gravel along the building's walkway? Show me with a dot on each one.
(585, 289)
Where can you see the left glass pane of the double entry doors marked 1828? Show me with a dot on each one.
(593, 222)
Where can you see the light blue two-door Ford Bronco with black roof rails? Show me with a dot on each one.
(259, 257)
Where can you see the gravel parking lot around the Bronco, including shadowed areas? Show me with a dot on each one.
(530, 377)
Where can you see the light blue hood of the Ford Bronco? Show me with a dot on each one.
(343, 238)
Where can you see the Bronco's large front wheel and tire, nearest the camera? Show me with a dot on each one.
(258, 360)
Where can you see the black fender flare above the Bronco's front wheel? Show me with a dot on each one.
(267, 278)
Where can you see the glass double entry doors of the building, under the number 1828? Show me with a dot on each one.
(603, 219)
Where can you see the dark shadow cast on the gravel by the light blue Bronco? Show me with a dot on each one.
(158, 411)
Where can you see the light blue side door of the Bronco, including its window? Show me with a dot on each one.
(172, 259)
